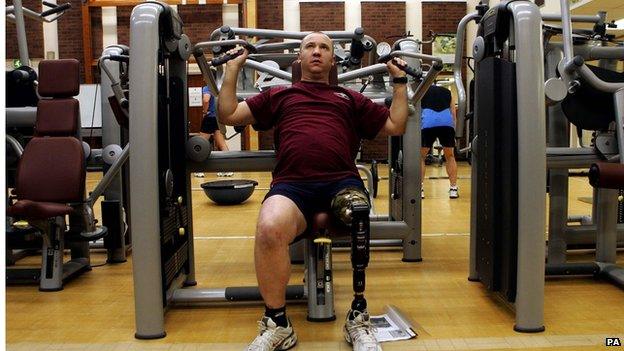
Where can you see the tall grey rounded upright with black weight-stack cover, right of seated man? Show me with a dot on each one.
(509, 170)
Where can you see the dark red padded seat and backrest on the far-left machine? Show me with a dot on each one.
(51, 172)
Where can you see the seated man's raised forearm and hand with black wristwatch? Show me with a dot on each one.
(397, 120)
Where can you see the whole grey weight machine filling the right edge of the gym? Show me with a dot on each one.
(510, 158)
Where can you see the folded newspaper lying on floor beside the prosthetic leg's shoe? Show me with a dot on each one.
(392, 325)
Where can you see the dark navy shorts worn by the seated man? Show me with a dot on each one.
(312, 198)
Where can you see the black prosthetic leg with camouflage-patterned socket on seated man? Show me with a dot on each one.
(351, 206)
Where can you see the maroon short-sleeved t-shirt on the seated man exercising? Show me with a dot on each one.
(318, 129)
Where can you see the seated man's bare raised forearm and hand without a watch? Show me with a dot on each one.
(232, 112)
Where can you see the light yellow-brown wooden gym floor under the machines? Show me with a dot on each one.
(96, 311)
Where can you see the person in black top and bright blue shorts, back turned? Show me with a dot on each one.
(438, 122)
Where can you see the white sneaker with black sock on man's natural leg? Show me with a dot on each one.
(273, 338)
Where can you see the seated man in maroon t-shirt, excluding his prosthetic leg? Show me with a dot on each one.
(318, 128)
